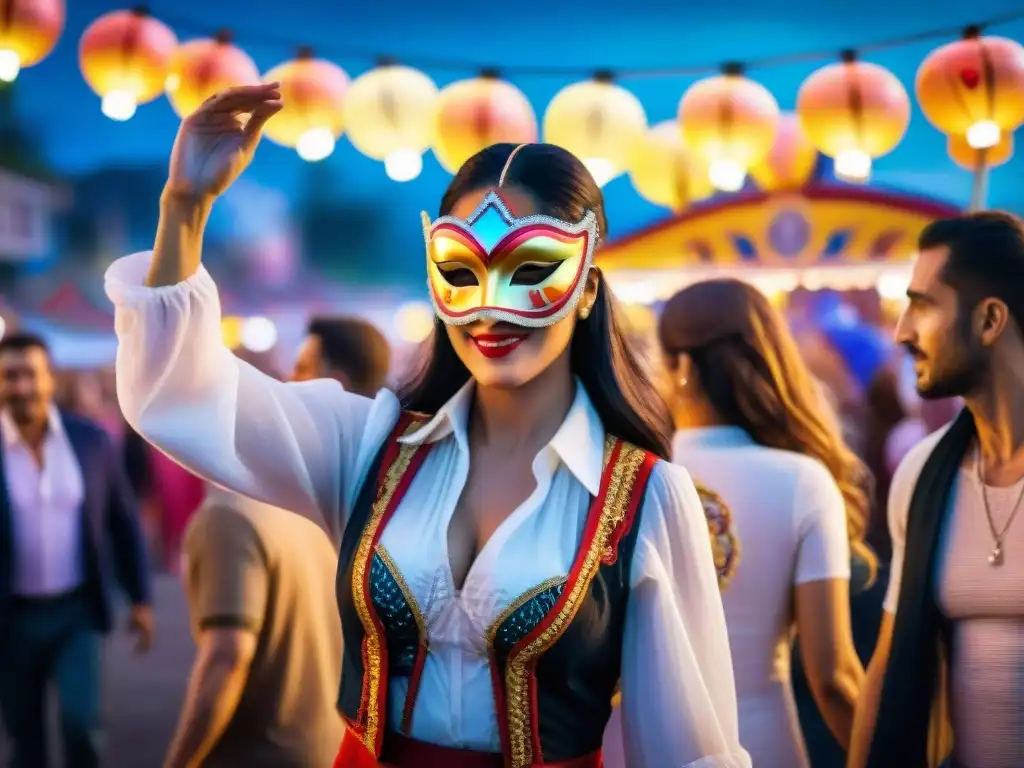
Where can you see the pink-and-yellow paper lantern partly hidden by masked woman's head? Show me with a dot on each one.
(473, 115)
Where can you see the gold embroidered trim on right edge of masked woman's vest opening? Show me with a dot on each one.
(518, 700)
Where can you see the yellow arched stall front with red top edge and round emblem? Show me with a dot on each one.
(823, 236)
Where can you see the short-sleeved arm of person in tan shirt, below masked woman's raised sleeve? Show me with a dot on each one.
(227, 584)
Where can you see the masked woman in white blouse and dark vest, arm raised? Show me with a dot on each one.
(488, 548)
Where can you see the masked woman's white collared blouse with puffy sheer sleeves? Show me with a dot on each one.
(307, 448)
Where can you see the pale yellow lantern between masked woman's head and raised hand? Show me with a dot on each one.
(390, 115)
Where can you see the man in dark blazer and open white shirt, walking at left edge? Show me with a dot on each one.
(65, 509)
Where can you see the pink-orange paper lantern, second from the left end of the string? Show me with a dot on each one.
(125, 57)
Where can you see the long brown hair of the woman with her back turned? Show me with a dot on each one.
(752, 373)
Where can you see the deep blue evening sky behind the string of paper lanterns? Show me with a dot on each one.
(54, 99)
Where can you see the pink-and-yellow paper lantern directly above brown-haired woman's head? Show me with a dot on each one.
(731, 122)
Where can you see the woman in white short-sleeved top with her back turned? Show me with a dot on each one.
(792, 504)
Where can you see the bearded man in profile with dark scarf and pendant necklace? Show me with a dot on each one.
(951, 650)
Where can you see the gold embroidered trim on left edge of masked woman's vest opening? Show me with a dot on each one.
(372, 639)
